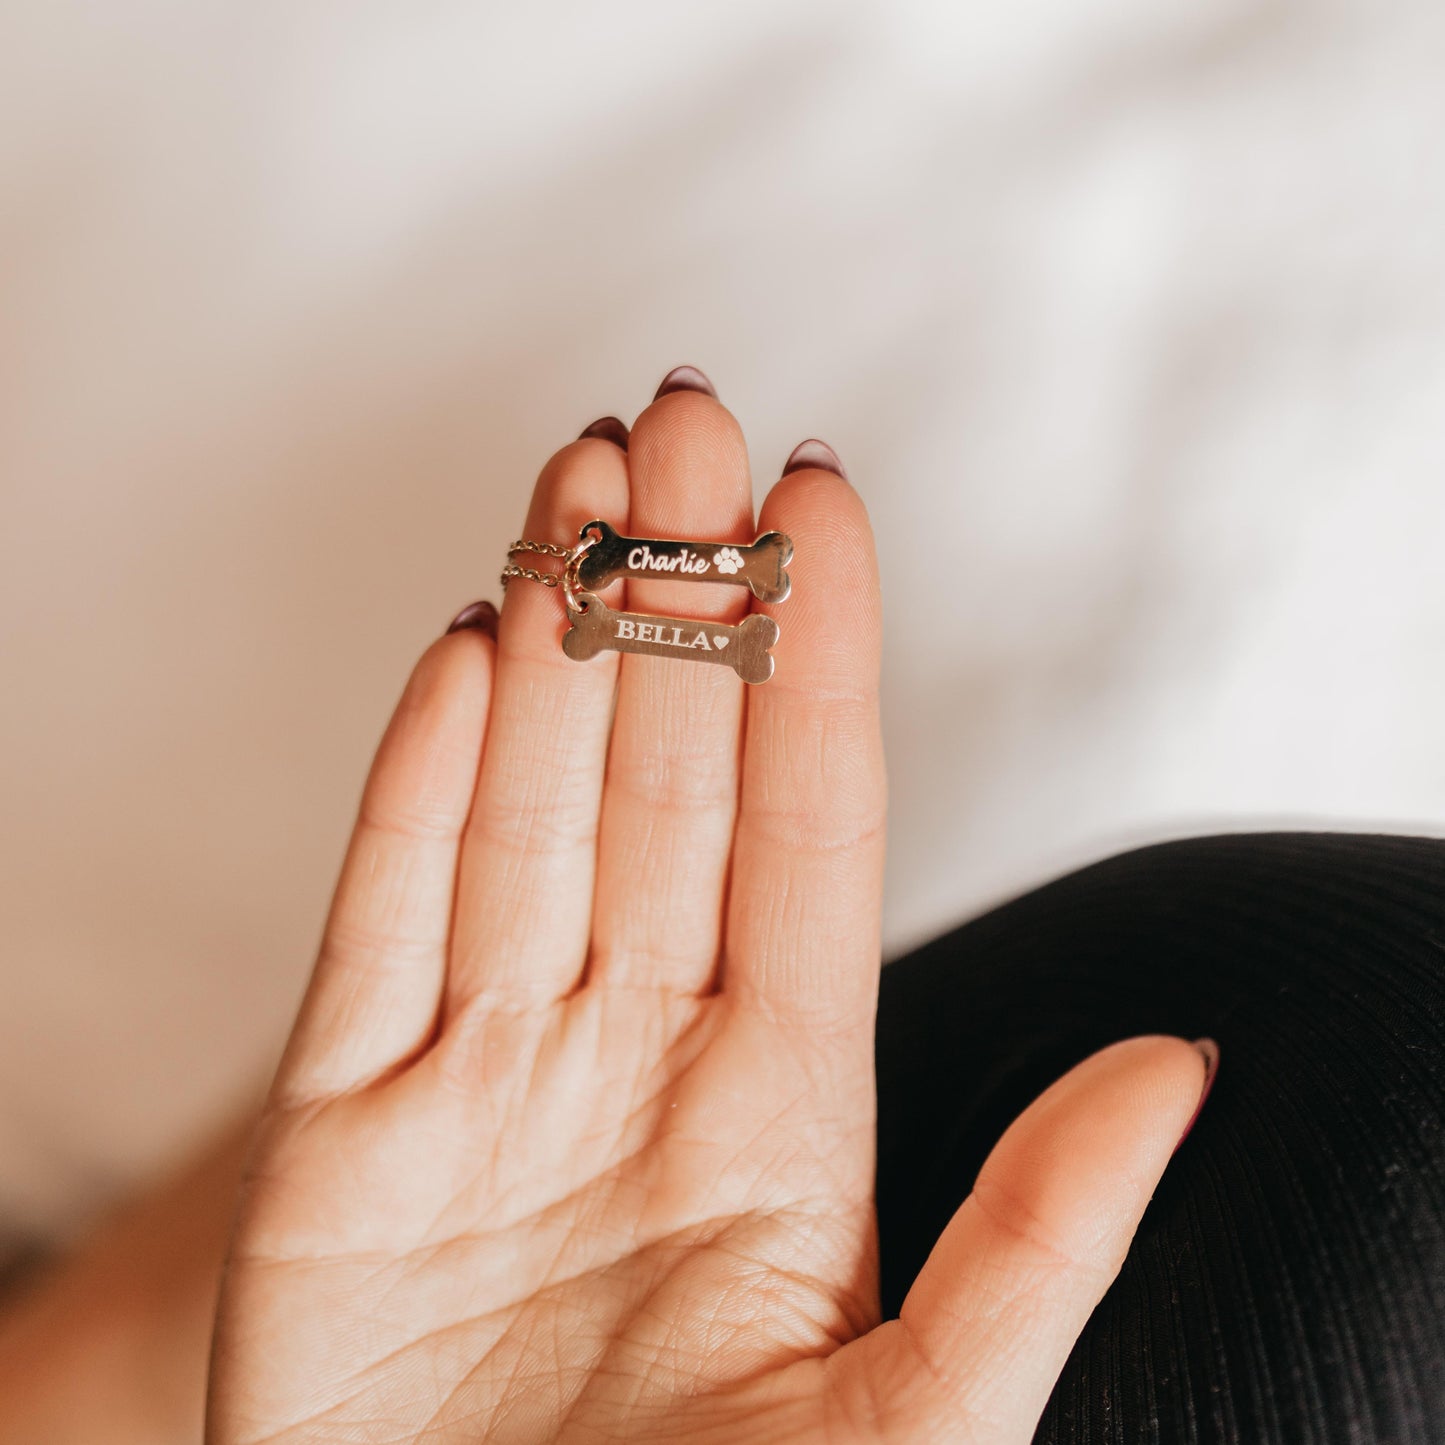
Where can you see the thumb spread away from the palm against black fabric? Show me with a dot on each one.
(991, 1321)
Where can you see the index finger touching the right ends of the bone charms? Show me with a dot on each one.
(803, 931)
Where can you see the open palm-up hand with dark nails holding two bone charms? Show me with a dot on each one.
(574, 1135)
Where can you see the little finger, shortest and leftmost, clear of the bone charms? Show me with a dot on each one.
(374, 996)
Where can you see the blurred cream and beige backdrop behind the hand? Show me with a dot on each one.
(1126, 320)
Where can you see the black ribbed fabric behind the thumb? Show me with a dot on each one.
(1288, 1282)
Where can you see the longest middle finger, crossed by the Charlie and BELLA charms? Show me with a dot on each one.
(671, 795)
